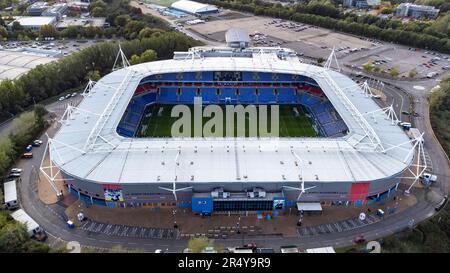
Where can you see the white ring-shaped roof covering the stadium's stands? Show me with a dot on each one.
(88, 147)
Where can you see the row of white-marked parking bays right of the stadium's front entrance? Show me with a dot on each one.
(340, 226)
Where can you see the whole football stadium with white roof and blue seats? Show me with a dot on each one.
(338, 147)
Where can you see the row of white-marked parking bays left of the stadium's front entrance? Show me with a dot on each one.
(130, 231)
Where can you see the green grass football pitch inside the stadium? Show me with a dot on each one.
(293, 122)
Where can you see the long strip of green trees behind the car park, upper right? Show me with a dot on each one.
(326, 15)
